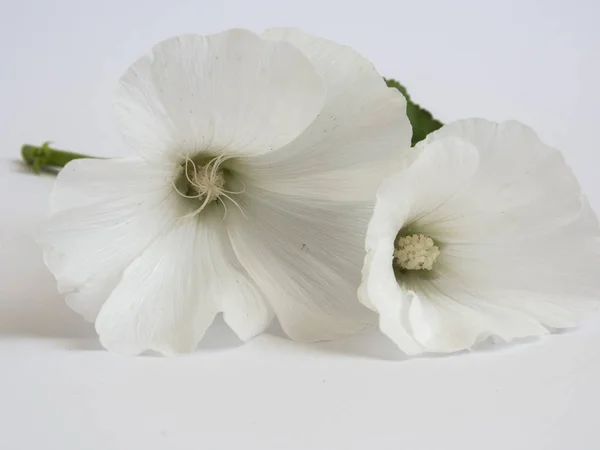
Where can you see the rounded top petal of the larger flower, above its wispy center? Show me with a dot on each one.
(230, 91)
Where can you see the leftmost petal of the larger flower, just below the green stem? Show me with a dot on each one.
(105, 212)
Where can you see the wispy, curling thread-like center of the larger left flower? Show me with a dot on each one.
(205, 181)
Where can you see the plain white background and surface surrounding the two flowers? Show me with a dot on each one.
(536, 61)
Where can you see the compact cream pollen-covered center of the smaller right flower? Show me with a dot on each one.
(415, 252)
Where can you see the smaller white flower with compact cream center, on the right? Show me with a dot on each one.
(486, 234)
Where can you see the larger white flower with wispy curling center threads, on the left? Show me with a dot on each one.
(258, 162)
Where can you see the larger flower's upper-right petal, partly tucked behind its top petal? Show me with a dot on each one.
(348, 149)
